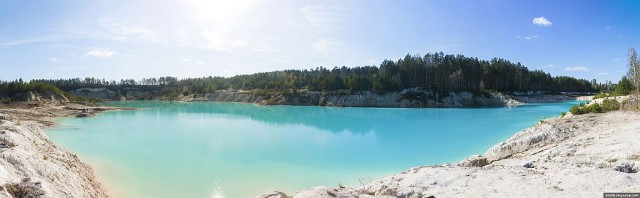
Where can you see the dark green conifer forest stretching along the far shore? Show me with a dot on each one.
(433, 71)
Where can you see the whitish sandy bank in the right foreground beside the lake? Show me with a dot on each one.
(575, 156)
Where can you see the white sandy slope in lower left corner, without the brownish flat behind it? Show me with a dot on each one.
(32, 166)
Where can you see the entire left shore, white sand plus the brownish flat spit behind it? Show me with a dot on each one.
(31, 165)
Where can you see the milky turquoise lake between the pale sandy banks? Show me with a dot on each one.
(209, 149)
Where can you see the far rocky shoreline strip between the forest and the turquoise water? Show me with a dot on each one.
(407, 98)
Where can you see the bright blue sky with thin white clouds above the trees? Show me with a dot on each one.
(134, 39)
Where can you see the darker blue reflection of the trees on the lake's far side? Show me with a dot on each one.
(334, 119)
